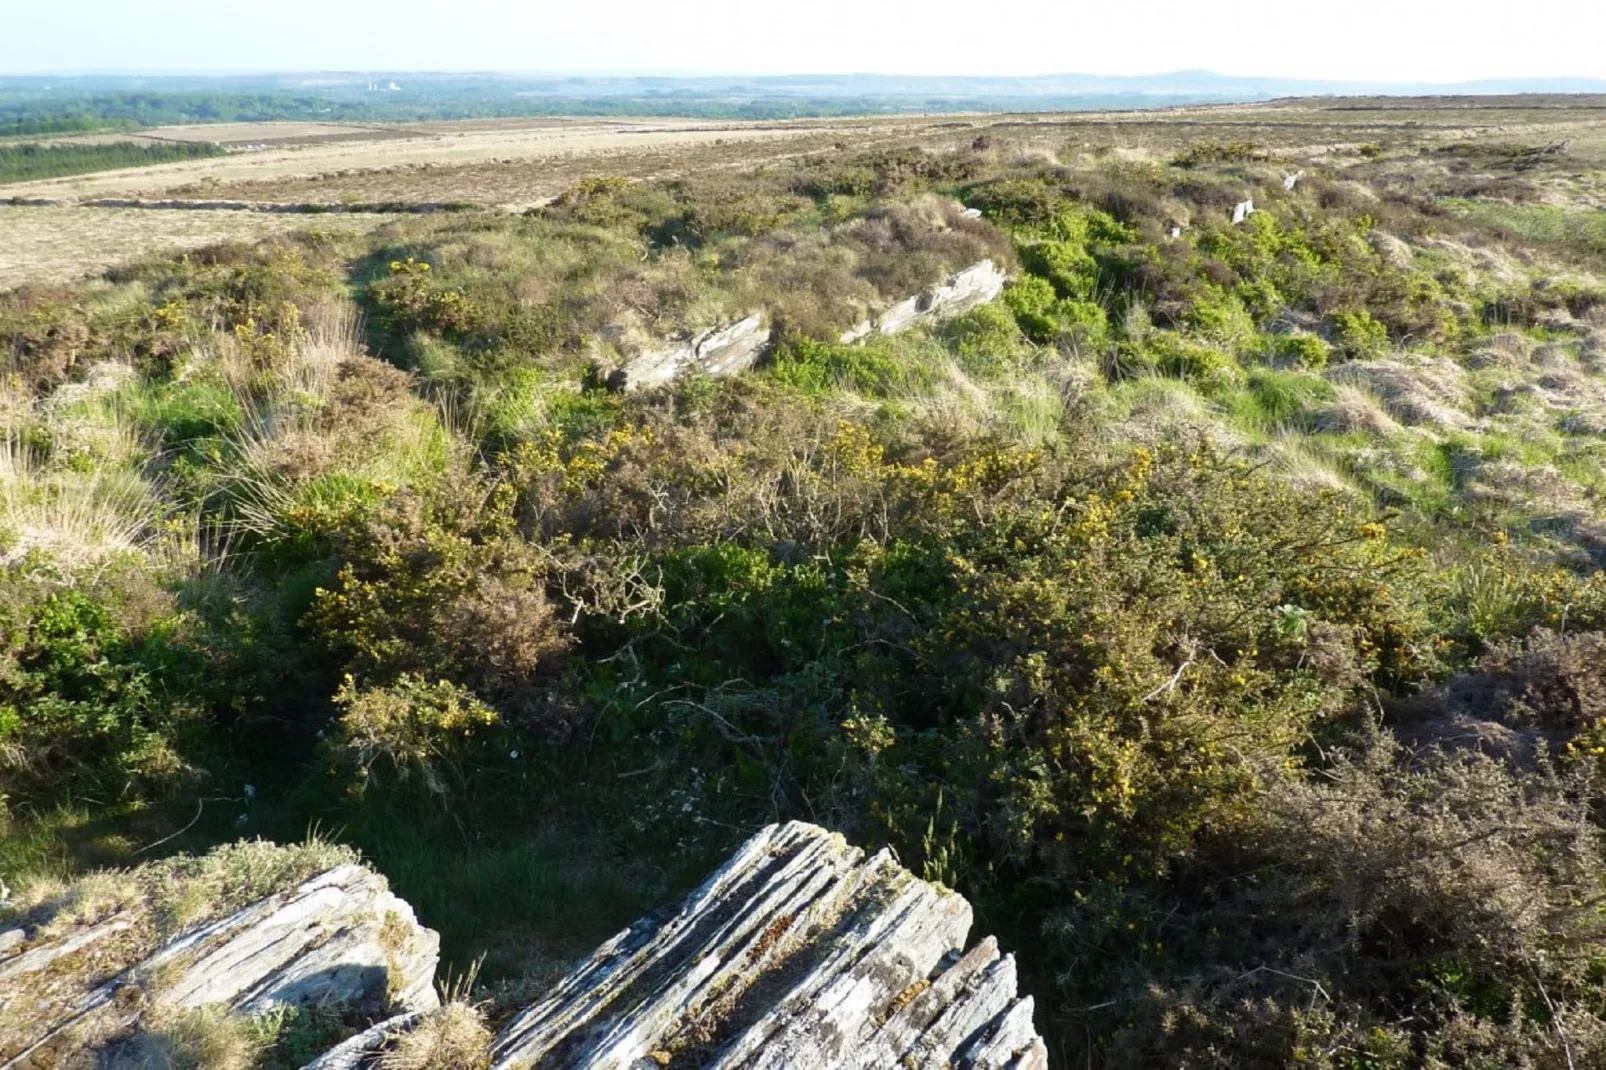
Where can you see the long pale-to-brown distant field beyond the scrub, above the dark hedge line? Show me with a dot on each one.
(523, 161)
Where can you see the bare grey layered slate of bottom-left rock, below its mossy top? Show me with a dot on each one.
(336, 939)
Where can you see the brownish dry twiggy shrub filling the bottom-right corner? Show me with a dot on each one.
(1440, 884)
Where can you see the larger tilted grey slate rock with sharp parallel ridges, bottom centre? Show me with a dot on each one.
(799, 954)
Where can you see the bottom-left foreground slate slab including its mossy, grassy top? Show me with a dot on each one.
(336, 937)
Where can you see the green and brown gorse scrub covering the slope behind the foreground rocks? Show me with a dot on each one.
(1221, 610)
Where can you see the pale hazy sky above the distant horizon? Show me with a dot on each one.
(1324, 39)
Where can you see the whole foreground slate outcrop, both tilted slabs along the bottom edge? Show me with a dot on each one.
(801, 954)
